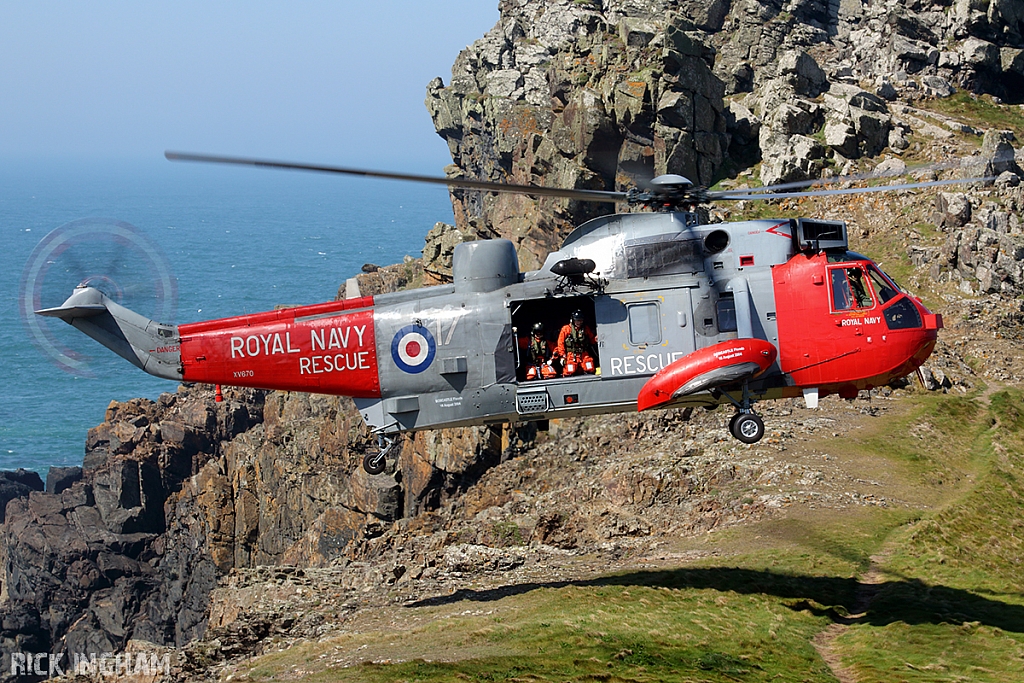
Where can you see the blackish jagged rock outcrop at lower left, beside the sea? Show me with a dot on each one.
(99, 559)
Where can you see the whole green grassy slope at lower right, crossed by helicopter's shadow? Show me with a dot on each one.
(951, 607)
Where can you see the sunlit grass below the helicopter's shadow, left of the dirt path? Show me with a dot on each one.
(621, 630)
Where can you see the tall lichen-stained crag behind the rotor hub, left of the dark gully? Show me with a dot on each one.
(574, 95)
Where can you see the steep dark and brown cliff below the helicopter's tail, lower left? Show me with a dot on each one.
(179, 492)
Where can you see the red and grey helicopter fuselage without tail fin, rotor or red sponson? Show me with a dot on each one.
(663, 288)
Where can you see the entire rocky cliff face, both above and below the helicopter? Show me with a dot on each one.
(182, 495)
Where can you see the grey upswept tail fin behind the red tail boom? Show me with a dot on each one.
(154, 348)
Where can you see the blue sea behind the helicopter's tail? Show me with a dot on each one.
(230, 241)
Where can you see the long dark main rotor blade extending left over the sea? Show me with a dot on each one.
(486, 186)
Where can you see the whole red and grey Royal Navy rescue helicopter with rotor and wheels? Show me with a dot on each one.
(678, 313)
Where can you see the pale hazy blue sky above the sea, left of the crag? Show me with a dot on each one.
(339, 82)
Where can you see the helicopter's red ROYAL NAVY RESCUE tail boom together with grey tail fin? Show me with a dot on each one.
(324, 349)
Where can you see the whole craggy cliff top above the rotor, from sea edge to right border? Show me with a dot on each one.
(605, 95)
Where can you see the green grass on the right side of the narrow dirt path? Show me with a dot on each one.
(954, 608)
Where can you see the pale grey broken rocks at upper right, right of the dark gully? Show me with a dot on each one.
(820, 77)
